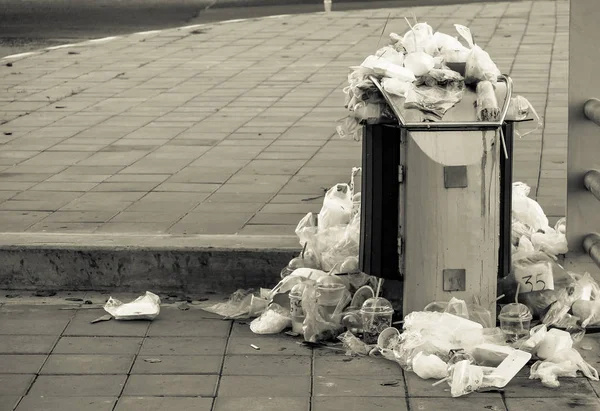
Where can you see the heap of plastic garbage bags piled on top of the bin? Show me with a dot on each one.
(428, 72)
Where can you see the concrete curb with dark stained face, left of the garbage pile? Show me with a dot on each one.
(190, 264)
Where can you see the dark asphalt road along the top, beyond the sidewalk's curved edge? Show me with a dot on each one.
(32, 24)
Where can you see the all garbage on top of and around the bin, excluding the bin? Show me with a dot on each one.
(324, 298)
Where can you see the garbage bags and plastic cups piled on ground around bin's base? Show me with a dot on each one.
(324, 298)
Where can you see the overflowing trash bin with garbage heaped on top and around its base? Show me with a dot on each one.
(438, 210)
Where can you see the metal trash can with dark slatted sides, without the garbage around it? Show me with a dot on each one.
(436, 203)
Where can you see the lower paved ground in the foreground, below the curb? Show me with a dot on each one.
(53, 359)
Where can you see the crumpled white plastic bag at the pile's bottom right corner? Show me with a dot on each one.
(564, 363)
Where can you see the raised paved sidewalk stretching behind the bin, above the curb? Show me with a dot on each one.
(229, 128)
